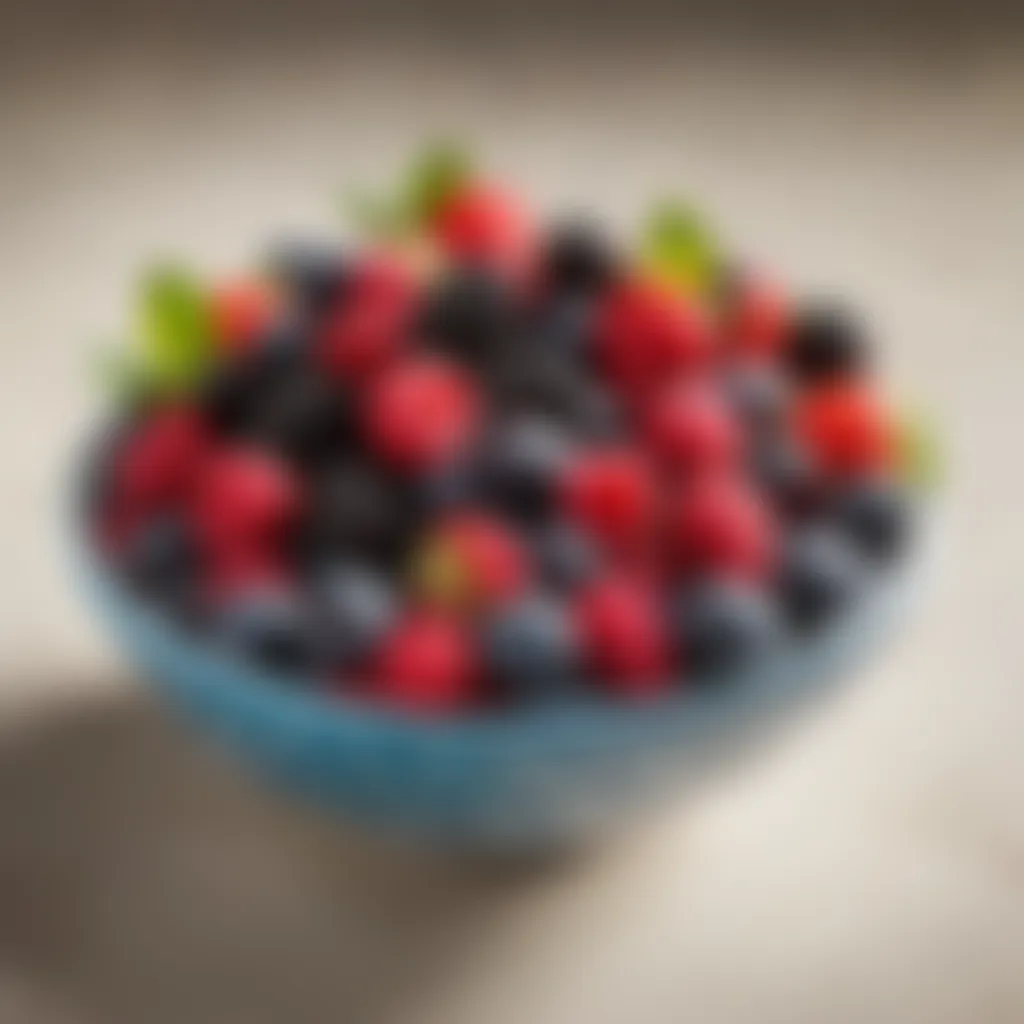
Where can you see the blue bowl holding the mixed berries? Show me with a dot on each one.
(524, 781)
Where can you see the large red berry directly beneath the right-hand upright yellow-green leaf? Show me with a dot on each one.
(648, 334)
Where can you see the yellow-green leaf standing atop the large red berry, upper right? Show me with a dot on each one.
(678, 247)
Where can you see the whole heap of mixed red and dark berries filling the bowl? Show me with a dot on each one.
(485, 463)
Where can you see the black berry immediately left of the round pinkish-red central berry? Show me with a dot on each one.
(307, 418)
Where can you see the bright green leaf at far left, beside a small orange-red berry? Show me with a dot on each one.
(176, 329)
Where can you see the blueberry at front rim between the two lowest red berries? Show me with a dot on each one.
(532, 649)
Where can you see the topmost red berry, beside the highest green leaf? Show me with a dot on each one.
(483, 225)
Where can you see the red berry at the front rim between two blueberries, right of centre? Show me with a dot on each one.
(624, 638)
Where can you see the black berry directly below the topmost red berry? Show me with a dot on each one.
(471, 317)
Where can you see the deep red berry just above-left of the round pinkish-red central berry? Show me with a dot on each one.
(363, 337)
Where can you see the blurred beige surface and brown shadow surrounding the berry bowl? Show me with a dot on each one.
(871, 868)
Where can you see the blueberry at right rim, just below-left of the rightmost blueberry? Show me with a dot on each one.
(820, 576)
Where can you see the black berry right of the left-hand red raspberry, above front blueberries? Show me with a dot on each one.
(355, 511)
